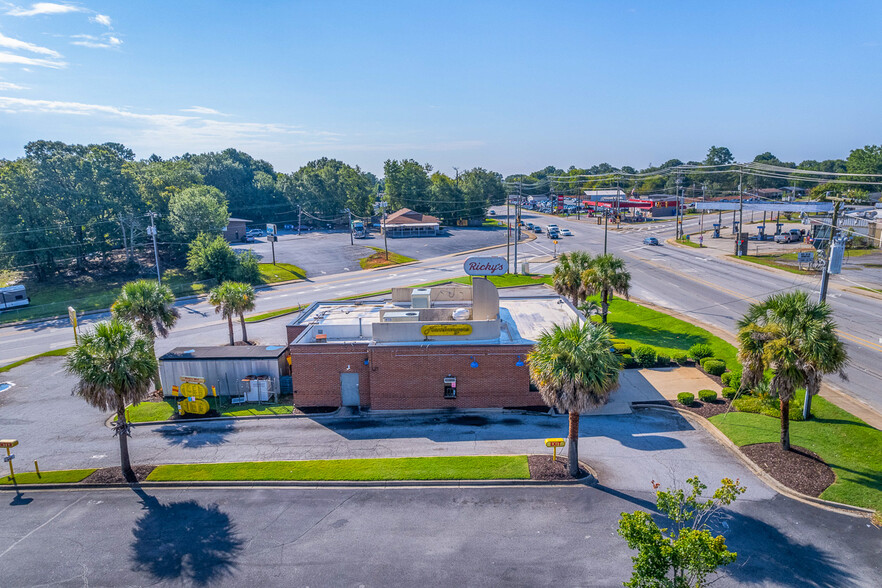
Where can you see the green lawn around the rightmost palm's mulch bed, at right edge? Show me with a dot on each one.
(851, 447)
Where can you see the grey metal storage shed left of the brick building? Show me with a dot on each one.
(223, 367)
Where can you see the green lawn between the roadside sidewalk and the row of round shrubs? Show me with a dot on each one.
(636, 325)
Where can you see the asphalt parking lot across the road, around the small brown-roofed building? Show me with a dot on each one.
(330, 252)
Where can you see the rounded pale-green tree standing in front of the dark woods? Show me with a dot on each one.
(200, 209)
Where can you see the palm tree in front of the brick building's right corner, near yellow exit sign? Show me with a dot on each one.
(575, 370)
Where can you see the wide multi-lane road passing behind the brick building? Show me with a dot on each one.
(690, 281)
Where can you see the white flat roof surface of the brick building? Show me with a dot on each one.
(523, 319)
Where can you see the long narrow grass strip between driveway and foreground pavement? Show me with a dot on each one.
(495, 467)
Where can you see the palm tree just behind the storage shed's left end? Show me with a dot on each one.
(149, 307)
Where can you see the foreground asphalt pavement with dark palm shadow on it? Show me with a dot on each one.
(550, 536)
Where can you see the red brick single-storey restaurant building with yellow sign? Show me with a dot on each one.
(442, 347)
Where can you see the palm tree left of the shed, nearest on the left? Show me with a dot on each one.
(114, 364)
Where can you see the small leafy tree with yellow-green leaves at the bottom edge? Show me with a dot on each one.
(683, 556)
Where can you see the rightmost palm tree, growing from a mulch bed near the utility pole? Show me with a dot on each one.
(796, 337)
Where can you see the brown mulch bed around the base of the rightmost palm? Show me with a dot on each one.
(799, 469)
